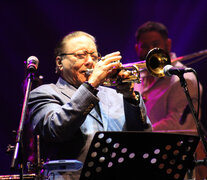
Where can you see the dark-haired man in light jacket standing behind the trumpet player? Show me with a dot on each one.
(165, 100)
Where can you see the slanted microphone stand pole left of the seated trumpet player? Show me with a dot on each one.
(18, 149)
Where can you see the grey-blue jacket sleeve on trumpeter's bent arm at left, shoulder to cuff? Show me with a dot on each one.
(55, 118)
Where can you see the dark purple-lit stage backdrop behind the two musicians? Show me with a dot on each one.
(33, 27)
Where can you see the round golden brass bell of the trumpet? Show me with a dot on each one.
(156, 60)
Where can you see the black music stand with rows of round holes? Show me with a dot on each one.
(139, 155)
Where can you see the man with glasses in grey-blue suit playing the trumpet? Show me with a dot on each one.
(67, 114)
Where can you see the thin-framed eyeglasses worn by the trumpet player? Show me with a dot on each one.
(83, 54)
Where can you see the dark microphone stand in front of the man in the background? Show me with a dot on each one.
(195, 117)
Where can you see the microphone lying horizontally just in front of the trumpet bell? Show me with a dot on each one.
(169, 70)
